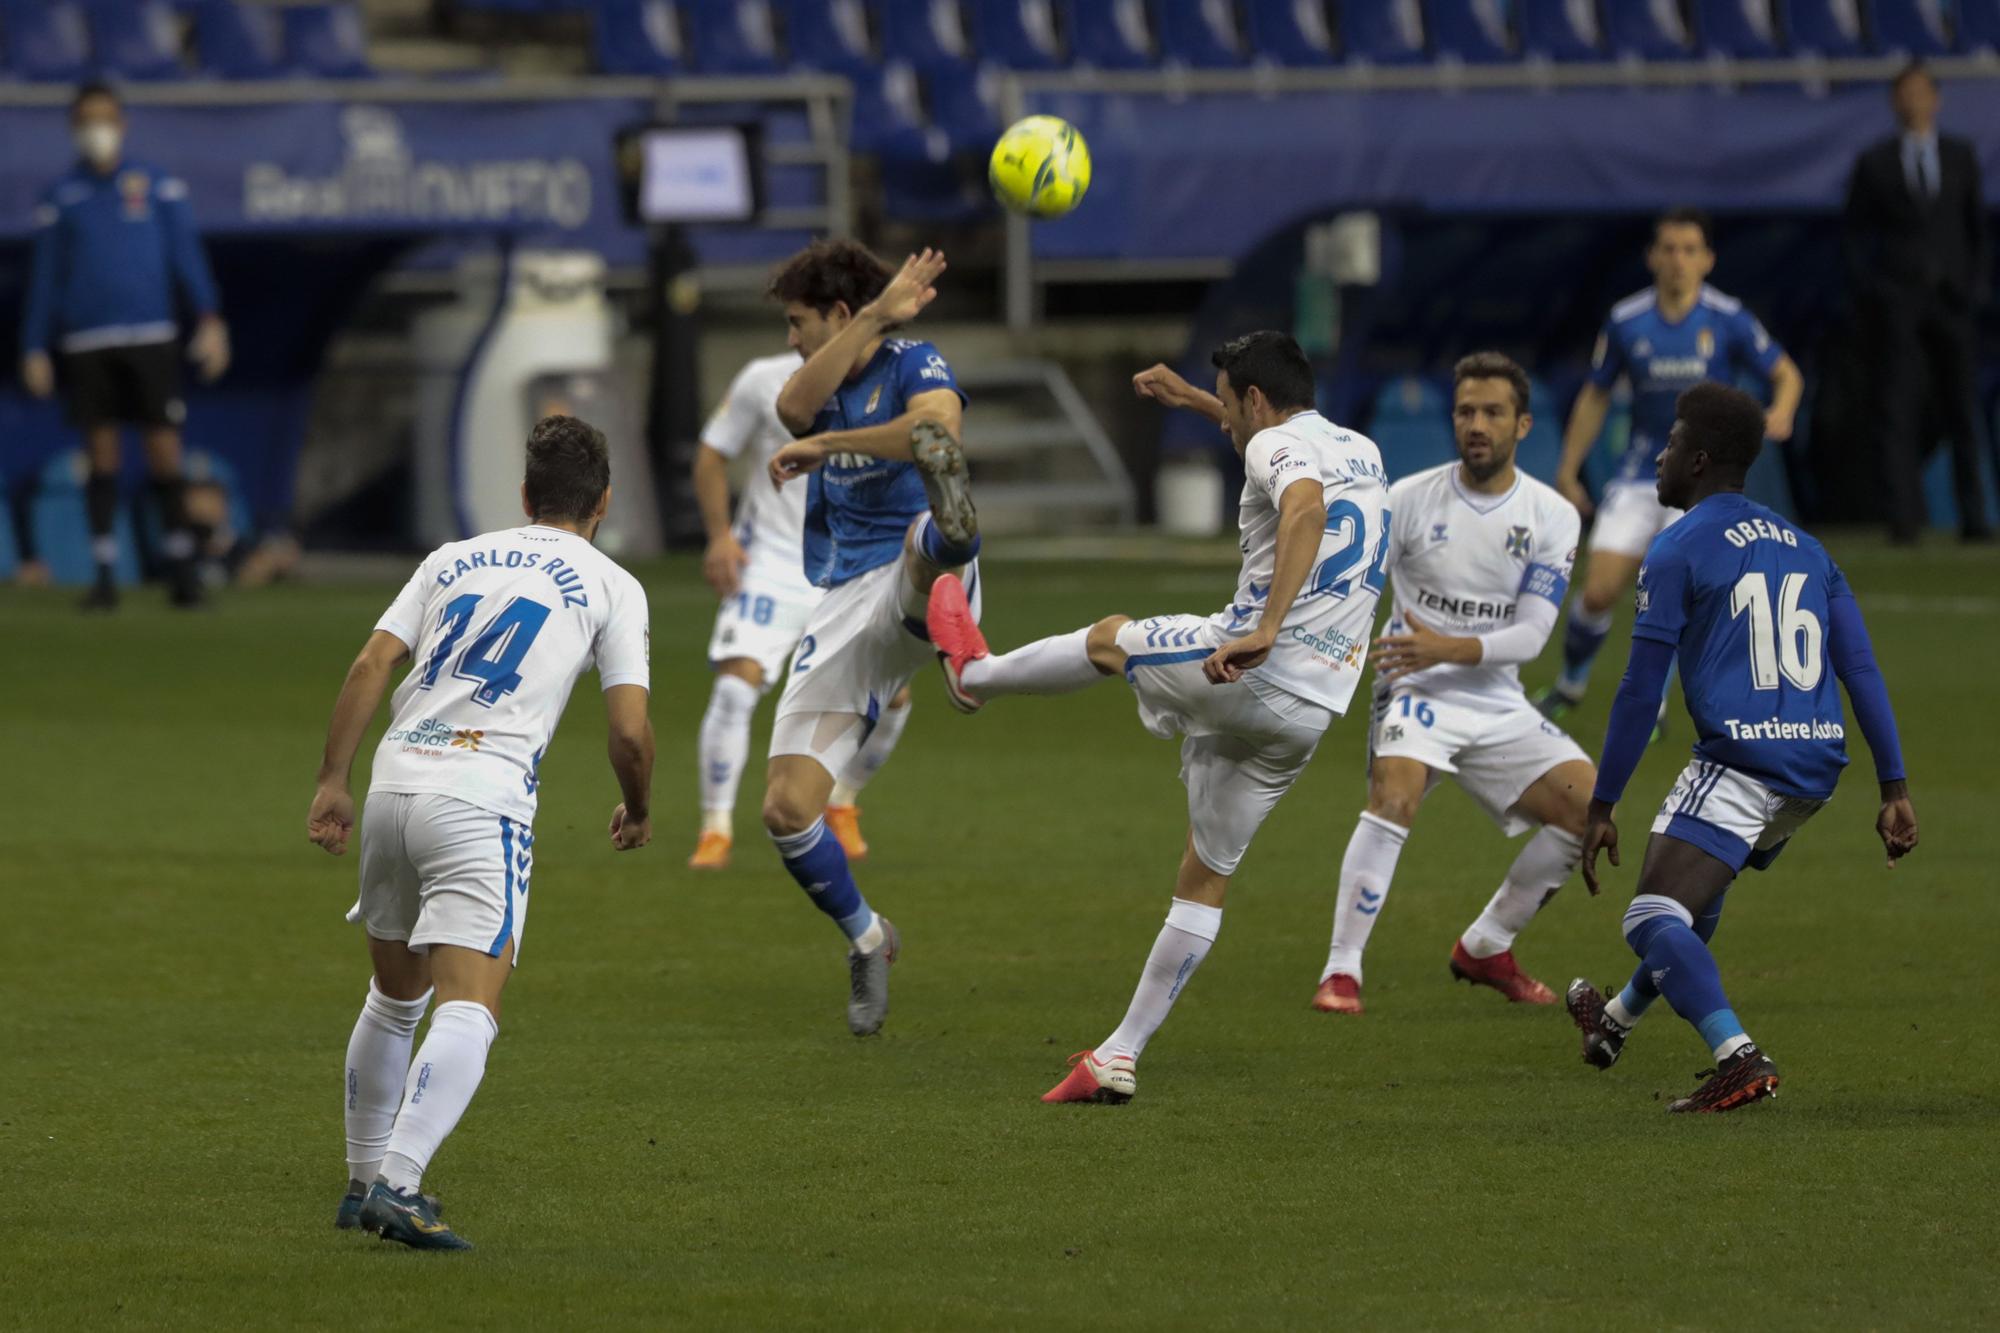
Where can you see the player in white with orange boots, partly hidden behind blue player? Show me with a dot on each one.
(757, 567)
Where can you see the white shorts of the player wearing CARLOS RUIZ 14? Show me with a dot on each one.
(439, 872)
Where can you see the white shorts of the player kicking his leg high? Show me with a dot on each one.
(1239, 756)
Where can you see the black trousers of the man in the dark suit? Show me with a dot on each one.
(1925, 359)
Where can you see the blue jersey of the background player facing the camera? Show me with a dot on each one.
(1715, 341)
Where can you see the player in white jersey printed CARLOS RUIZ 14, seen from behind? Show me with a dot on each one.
(497, 631)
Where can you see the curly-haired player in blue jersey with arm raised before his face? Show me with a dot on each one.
(887, 513)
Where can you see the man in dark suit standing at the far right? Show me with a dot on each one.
(1919, 263)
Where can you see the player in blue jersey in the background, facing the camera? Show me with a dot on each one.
(1663, 341)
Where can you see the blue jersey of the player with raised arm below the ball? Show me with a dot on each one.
(859, 507)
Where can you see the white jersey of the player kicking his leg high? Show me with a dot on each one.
(1323, 643)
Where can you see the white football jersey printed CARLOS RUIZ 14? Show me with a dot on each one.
(499, 629)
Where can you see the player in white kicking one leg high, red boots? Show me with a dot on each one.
(1251, 690)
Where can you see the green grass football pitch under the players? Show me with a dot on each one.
(679, 1132)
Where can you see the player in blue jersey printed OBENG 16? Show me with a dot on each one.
(1757, 613)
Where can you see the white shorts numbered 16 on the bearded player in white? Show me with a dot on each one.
(1495, 748)
